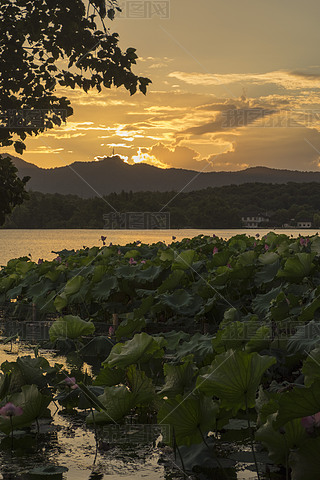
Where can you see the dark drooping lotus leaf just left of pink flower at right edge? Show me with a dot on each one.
(279, 444)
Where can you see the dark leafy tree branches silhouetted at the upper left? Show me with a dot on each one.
(47, 44)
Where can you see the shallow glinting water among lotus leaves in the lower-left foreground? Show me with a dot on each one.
(66, 441)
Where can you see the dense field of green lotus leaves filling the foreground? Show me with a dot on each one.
(236, 348)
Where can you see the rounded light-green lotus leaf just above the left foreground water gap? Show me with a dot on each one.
(70, 326)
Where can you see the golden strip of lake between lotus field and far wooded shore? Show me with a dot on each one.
(41, 243)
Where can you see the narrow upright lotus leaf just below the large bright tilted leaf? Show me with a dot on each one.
(141, 386)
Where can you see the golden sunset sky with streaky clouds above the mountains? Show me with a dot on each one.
(208, 60)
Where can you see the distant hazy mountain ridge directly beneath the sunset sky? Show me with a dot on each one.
(111, 174)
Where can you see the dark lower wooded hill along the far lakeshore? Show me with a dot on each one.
(220, 207)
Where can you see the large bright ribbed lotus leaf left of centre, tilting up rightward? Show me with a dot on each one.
(140, 349)
